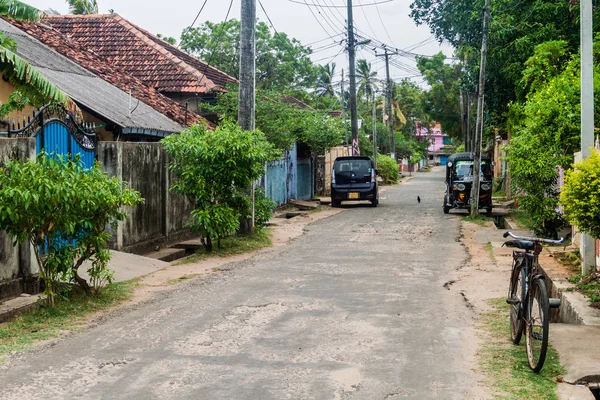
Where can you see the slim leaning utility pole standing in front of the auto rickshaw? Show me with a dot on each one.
(480, 103)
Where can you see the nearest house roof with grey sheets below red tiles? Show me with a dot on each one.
(124, 107)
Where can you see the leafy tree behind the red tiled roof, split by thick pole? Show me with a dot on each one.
(281, 62)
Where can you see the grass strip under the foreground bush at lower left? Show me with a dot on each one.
(69, 314)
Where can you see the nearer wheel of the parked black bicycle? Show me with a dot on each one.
(538, 324)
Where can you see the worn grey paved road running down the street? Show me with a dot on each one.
(354, 309)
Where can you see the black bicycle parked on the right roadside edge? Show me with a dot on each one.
(528, 298)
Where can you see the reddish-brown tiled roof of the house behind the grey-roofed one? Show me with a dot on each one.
(160, 65)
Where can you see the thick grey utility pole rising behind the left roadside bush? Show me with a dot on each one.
(247, 97)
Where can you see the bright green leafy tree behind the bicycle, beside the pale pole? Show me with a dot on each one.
(546, 131)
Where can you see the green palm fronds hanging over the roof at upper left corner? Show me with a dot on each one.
(28, 81)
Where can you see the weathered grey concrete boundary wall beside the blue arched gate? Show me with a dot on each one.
(159, 221)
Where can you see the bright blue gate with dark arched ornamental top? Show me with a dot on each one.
(56, 132)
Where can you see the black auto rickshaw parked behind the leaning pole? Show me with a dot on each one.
(459, 180)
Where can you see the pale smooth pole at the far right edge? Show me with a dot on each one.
(588, 244)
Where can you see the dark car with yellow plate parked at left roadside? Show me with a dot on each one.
(354, 178)
